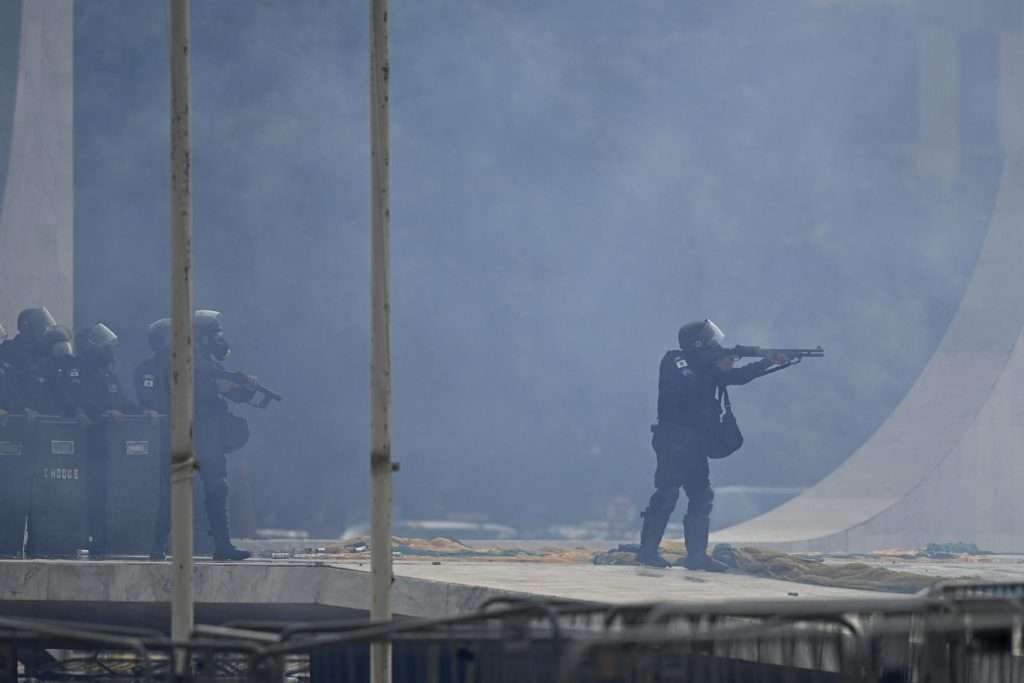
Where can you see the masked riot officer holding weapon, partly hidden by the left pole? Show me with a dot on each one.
(212, 420)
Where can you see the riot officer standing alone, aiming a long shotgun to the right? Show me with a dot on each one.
(689, 409)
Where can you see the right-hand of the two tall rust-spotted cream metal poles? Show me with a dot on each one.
(380, 381)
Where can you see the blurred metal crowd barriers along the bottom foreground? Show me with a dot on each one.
(957, 633)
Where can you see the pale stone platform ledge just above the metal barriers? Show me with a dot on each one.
(139, 593)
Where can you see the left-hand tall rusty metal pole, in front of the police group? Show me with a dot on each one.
(183, 456)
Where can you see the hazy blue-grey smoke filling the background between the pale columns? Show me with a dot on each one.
(572, 182)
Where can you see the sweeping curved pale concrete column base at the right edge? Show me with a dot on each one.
(949, 464)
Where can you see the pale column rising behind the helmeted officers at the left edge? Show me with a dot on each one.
(36, 139)
